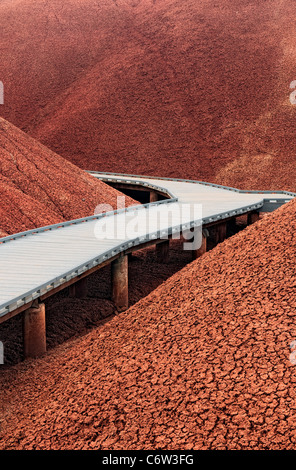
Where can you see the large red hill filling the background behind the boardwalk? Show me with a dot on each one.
(196, 89)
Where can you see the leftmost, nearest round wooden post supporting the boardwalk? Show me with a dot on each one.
(34, 331)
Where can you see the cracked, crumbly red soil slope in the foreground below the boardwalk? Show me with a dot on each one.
(202, 362)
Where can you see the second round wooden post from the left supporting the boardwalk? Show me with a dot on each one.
(119, 274)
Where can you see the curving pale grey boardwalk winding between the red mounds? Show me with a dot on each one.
(37, 263)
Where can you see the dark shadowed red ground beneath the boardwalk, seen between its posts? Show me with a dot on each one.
(69, 317)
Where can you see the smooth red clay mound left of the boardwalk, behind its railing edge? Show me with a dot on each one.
(39, 188)
